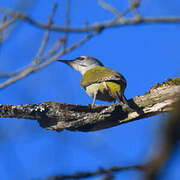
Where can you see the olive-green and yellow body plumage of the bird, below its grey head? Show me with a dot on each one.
(107, 84)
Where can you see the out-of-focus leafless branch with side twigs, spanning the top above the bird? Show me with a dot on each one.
(93, 30)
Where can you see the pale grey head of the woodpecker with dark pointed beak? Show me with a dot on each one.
(82, 63)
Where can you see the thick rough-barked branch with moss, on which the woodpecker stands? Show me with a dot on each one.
(54, 116)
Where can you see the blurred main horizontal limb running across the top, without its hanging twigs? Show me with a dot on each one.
(112, 23)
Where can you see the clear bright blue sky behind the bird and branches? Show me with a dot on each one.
(144, 54)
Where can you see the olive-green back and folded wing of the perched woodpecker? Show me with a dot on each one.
(100, 74)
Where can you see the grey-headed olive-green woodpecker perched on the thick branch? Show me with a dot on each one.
(99, 82)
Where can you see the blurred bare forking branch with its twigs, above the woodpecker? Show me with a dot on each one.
(40, 62)
